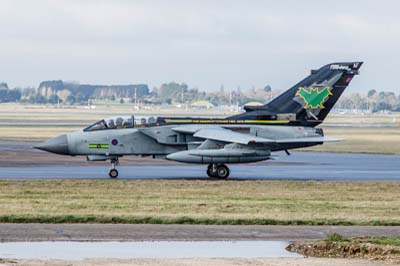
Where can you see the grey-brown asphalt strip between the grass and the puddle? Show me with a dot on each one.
(158, 232)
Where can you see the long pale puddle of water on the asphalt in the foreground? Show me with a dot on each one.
(157, 249)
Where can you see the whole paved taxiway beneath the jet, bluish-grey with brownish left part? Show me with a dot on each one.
(18, 160)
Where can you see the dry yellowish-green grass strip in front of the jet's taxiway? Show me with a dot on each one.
(261, 202)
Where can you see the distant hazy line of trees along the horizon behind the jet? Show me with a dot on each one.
(57, 92)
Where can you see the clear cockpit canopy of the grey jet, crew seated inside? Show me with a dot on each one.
(119, 122)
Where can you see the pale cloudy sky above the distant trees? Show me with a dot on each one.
(202, 43)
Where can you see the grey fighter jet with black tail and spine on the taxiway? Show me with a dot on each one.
(287, 122)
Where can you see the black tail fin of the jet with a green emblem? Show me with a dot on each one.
(310, 100)
